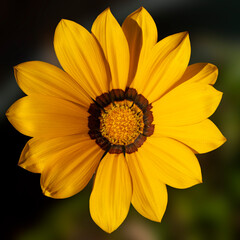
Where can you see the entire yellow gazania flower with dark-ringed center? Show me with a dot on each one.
(126, 108)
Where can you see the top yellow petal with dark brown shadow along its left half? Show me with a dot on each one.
(141, 33)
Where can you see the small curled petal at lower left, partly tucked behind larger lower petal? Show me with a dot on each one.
(39, 151)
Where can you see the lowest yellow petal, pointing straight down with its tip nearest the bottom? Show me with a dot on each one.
(112, 192)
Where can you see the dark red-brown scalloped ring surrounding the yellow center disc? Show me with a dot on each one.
(116, 95)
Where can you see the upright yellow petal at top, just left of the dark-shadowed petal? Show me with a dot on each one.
(113, 41)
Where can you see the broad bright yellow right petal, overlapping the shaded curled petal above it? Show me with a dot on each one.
(186, 104)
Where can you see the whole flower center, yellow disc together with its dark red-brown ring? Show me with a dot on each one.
(120, 121)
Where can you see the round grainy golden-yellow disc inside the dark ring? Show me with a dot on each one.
(121, 122)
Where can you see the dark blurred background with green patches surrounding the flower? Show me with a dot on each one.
(207, 211)
